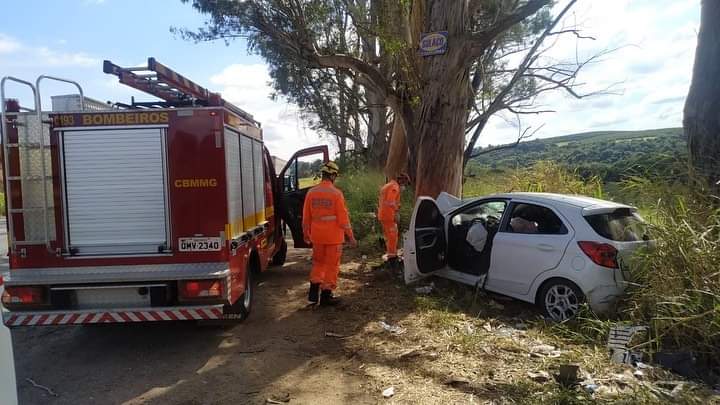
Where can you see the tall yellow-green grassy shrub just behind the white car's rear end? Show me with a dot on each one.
(677, 284)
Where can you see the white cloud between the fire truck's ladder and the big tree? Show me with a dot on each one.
(247, 86)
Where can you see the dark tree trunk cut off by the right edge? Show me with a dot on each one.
(702, 108)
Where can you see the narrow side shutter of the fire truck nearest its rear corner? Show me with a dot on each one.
(234, 184)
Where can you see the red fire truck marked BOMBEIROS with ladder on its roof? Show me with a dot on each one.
(148, 211)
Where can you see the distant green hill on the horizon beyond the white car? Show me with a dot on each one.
(607, 154)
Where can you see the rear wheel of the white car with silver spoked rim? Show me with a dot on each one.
(560, 299)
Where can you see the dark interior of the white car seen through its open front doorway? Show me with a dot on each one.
(462, 256)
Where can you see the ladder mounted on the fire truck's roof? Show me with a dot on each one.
(175, 89)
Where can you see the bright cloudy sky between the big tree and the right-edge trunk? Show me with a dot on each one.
(652, 69)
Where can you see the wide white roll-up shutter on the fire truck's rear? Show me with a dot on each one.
(115, 188)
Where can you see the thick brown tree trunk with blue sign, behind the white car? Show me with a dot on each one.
(440, 120)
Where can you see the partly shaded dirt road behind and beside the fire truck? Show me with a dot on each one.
(280, 351)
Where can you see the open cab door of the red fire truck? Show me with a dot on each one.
(299, 175)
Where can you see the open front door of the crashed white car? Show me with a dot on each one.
(425, 245)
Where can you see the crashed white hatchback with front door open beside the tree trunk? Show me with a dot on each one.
(552, 250)
